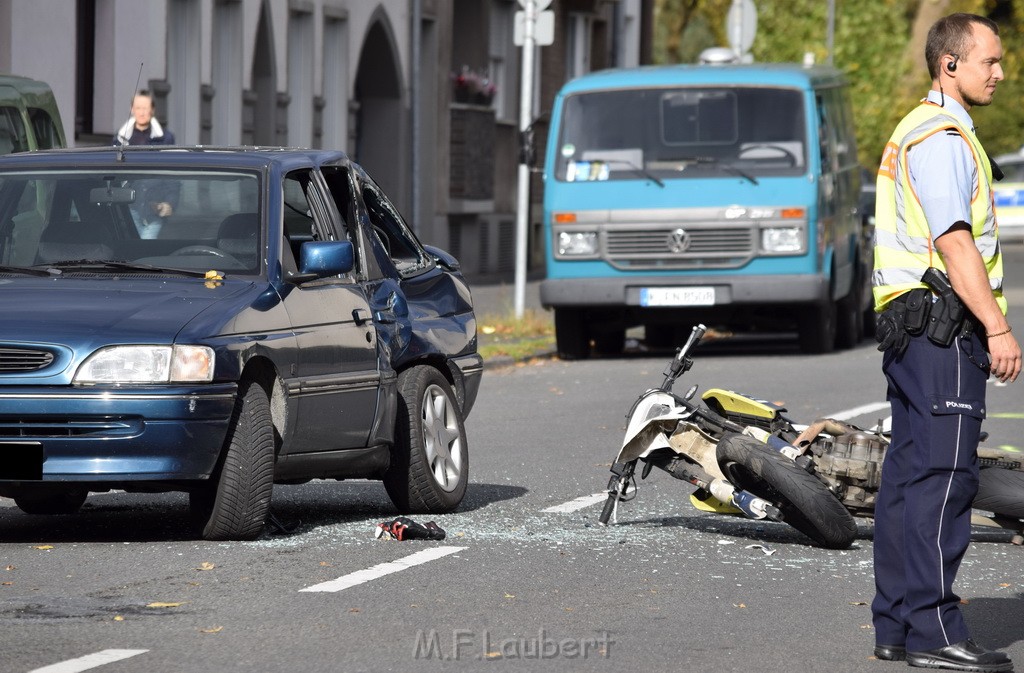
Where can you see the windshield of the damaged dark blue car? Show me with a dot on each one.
(144, 222)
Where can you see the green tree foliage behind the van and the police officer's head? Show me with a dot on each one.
(879, 45)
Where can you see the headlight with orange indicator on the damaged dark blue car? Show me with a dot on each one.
(148, 365)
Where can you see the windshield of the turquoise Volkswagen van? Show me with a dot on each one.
(639, 135)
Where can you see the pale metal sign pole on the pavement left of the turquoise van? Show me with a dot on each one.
(523, 189)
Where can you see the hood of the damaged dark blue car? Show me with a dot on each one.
(76, 312)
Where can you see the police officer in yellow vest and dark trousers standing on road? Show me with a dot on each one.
(934, 209)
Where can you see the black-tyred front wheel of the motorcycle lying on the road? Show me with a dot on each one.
(805, 502)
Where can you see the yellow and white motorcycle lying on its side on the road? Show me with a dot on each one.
(747, 458)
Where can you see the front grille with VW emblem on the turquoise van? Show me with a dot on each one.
(679, 247)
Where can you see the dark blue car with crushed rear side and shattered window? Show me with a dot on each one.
(216, 321)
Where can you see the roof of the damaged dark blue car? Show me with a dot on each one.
(251, 158)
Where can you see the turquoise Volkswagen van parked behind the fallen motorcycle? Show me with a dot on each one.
(721, 194)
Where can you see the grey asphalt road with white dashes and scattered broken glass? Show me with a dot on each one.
(121, 587)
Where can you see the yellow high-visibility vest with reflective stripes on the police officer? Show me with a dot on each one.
(904, 246)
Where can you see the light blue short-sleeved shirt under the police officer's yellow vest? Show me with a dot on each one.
(944, 173)
